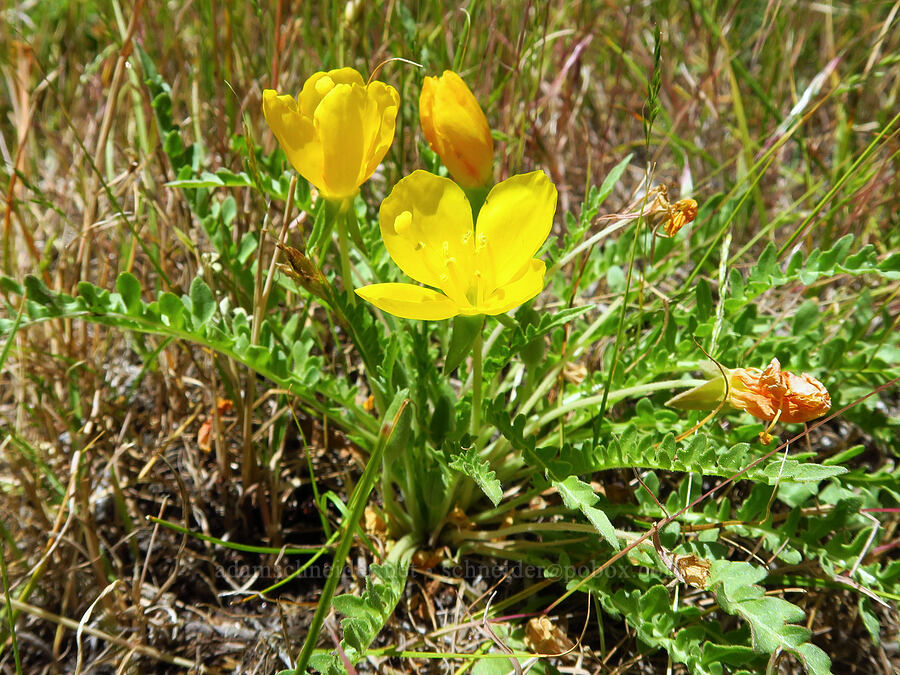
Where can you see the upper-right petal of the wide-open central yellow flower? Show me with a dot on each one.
(513, 224)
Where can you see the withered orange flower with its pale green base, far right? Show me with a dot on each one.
(768, 394)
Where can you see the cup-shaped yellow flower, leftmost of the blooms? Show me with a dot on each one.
(336, 131)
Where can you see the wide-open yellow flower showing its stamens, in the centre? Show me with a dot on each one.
(426, 224)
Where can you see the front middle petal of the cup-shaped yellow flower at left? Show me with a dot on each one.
(340, 125)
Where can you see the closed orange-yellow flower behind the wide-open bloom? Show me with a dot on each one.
(456, 129)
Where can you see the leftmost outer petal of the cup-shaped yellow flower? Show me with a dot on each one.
(296, 135)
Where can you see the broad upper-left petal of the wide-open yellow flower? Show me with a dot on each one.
(426, 225)
